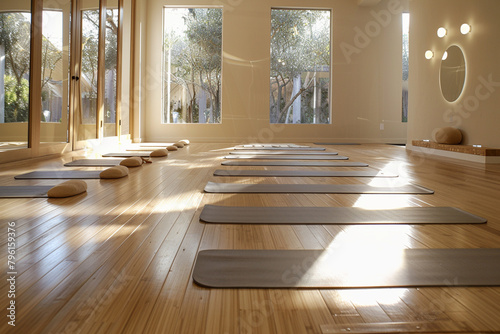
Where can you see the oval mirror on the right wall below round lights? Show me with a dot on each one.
(452, 75)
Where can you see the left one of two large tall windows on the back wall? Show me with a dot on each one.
(192, 48)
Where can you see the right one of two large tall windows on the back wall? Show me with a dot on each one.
(300, 66)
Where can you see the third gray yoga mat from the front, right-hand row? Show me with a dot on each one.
(262, 188)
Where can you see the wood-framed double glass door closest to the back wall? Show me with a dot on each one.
(96, 113)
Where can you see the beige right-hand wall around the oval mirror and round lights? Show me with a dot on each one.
(477, 111)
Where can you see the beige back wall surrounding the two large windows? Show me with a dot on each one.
(366, 75)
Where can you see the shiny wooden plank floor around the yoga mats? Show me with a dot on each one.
(119, 258)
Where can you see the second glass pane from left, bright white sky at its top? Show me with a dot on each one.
(55, 72)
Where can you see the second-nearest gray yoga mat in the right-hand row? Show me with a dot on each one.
(335, 215)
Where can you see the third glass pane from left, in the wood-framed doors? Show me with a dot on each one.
(88, 78)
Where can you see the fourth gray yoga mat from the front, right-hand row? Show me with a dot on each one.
(301, 173)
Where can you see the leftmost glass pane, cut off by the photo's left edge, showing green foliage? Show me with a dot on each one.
(15, 35)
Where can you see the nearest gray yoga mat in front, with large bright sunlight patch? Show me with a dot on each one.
(345, 268)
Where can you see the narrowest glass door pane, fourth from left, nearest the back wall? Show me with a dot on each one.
(111, 70)
